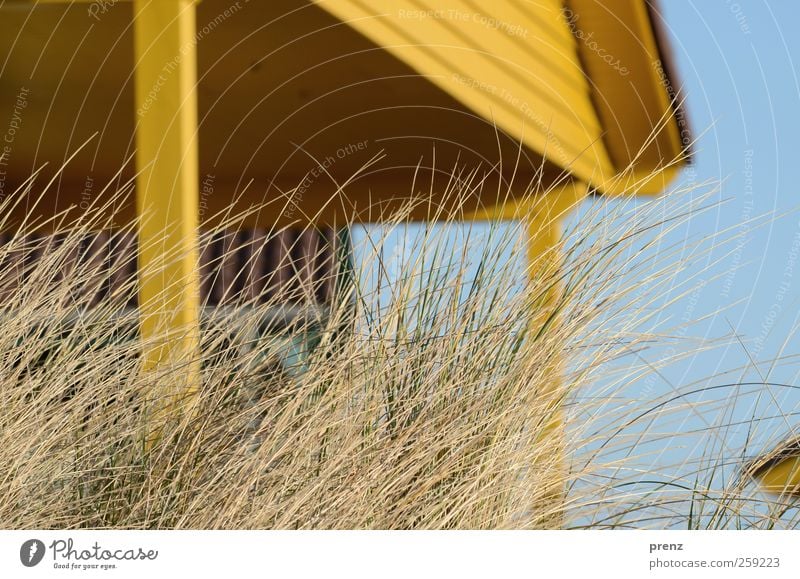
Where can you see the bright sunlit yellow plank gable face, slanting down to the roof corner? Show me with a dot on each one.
(545, 105)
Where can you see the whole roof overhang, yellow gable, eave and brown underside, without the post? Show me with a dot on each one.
(288, 88)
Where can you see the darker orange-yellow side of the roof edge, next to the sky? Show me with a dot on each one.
(645, 134)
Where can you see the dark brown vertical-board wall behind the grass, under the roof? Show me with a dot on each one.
(249, 266)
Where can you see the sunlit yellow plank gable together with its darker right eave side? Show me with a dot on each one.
(599, 75)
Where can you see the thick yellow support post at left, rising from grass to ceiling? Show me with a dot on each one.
(167, 200)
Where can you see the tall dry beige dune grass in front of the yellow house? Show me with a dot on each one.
(449, 387)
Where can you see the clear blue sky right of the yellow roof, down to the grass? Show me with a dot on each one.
(738, 65)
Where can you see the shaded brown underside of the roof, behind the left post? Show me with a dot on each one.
(323, 91)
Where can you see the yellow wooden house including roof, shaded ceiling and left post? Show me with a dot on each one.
(351, 106)
